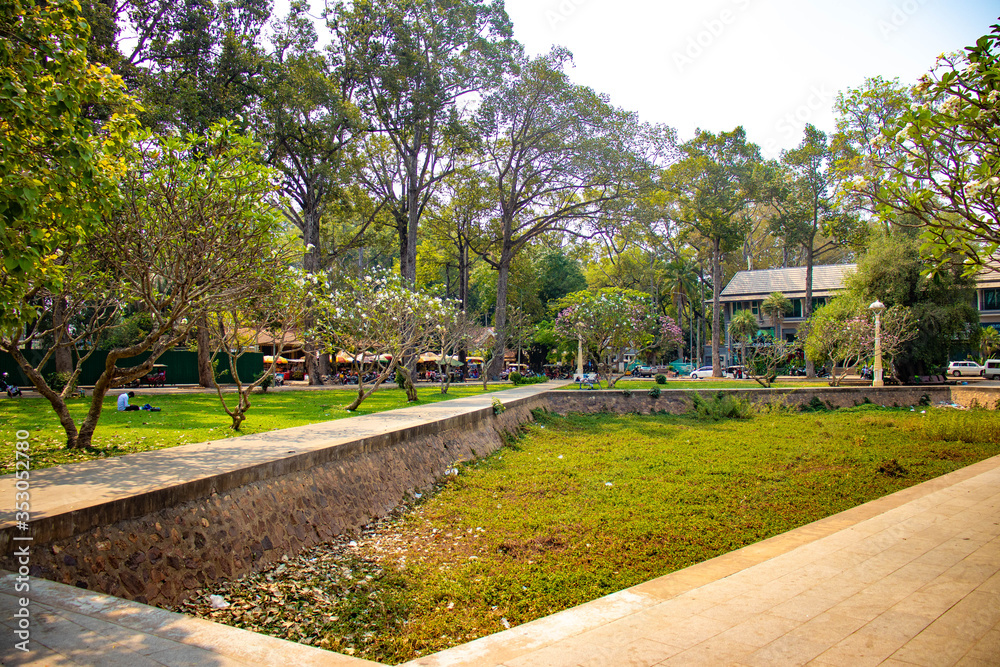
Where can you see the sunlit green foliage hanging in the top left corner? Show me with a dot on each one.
(58, 169)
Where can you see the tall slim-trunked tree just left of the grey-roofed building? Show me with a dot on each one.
(712, 187)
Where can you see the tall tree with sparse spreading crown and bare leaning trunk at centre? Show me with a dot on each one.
(557, 156)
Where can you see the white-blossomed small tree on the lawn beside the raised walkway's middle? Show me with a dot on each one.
(376, 320)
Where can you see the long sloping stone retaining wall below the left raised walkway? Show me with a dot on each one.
(235, 526)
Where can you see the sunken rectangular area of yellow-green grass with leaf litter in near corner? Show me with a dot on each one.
(579, 507)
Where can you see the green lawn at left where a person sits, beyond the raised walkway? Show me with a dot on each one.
(187, 418)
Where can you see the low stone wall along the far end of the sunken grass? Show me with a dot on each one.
(676, 401)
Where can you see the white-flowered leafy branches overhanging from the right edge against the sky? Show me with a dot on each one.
(944, 164)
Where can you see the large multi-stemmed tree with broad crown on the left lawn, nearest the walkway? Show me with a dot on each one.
(194, 228)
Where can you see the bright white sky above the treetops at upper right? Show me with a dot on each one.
(769, 65)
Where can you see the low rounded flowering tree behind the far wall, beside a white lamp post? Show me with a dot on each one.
(611, 321)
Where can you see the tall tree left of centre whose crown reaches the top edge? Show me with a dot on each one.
(415, 61)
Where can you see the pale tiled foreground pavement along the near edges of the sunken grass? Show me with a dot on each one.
(909, 579)
